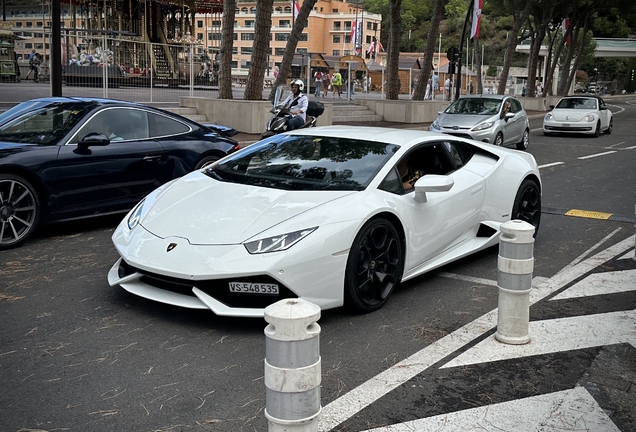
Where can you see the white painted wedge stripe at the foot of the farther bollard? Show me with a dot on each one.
(556, 335)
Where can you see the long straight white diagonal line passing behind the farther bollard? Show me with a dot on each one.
(352, 402)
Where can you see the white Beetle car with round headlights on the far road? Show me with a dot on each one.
(580, 115)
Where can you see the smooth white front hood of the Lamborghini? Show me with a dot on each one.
(206, 211)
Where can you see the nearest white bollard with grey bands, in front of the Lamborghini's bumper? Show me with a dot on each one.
(292, 366)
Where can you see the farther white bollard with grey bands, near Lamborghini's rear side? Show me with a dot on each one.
(514, 279)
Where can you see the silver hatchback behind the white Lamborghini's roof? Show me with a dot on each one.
(496, 119)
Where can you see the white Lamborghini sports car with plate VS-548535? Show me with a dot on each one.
(335, 215)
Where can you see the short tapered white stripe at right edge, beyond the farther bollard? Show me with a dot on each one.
(601, 283)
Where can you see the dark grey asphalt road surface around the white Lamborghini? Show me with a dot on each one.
(79, 355)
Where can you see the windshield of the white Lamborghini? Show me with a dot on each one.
(305, 163)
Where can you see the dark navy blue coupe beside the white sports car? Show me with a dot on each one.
(66, 158)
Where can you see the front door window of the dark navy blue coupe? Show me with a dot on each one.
(117, 124)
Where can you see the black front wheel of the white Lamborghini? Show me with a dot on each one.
(374, 266)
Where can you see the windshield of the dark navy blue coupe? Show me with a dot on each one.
(41, 124)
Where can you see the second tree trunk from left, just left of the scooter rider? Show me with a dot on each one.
(258, 60)
